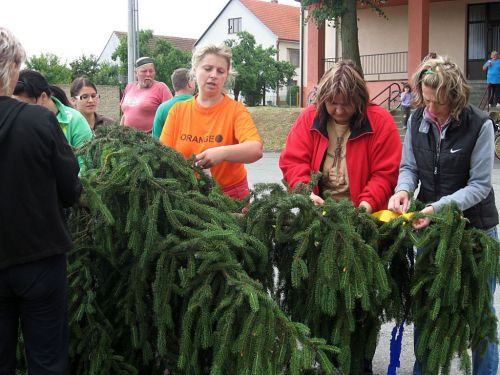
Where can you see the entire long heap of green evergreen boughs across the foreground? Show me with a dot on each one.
(166, 278)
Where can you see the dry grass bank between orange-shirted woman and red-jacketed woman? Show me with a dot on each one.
(274, 124)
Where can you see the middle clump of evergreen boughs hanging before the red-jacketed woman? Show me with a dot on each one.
(330, 274)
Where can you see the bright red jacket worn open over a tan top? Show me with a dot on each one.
(373, 154)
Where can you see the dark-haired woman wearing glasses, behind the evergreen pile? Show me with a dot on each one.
(85, 98)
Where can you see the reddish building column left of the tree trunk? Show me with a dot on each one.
(315, 56)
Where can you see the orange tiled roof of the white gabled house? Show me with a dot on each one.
(283, 20)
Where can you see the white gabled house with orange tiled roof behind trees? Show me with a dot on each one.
(271, 23)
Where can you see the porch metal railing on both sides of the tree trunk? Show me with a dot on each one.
(380, 63)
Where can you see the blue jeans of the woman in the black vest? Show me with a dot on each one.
(486, 364)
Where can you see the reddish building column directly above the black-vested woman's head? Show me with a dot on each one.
(418, 33)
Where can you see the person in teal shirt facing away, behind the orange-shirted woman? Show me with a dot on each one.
(184, 87)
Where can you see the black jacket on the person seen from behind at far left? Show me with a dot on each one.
(38, 178)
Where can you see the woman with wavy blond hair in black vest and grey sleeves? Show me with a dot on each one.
(449, 150)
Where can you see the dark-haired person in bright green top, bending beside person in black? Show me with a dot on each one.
(33, 88)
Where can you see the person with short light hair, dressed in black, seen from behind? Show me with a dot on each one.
(38, 179)
